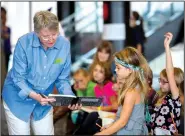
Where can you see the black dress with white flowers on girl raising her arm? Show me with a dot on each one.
(161, 115)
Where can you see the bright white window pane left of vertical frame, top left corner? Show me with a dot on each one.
(17, 19)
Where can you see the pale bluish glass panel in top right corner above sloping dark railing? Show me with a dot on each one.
(157, 13)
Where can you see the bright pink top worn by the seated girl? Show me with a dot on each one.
(106, 92)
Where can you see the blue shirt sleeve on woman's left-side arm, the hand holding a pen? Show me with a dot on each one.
(19, 71)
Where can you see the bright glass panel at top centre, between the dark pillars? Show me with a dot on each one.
(88, 22)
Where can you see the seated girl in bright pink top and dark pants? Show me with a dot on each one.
(101, 74)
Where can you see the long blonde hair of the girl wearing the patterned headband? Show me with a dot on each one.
(131, 56)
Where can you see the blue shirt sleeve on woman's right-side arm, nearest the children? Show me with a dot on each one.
(63, 81)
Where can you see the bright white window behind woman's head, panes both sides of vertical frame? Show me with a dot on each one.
(18, 16)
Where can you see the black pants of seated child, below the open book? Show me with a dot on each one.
(89, 127)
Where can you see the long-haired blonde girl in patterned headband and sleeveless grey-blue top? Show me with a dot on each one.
(131, 68)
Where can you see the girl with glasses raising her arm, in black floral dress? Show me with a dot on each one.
(166, 113)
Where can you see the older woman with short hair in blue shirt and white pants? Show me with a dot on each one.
(41, 60)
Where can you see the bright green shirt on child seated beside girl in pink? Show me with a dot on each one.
(89, 91)
